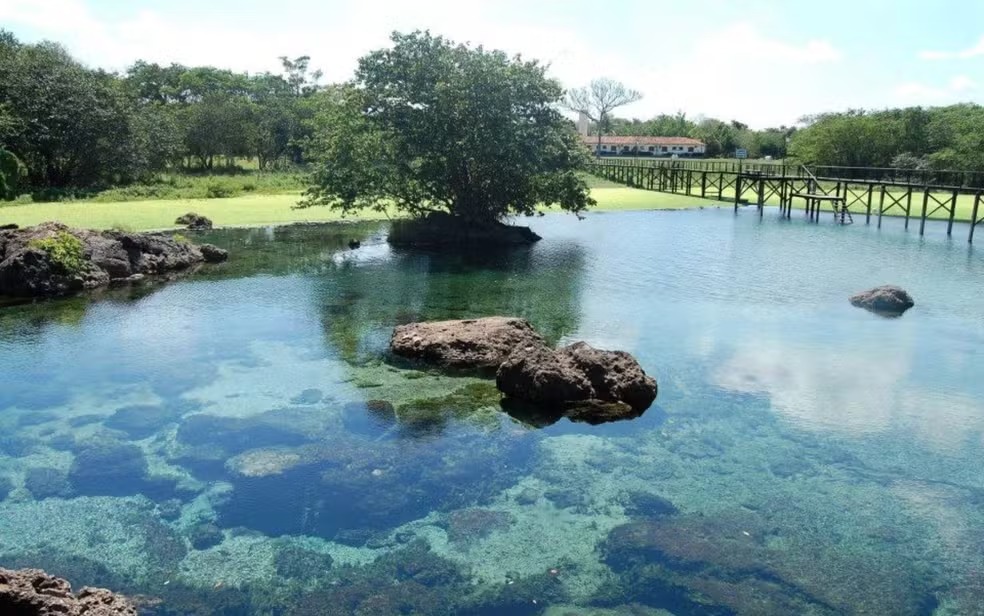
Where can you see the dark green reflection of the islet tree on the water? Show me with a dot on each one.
(362, 303)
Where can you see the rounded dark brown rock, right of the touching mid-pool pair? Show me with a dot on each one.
(589, 384)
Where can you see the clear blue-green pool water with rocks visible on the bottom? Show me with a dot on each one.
(207, 444)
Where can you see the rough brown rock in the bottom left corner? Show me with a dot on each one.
(32, 592)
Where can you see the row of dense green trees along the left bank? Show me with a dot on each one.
(71, 126)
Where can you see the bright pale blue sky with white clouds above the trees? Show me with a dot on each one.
(761, 62)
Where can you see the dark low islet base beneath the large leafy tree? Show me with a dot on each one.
(443, 230)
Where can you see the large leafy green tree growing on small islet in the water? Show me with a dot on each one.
(429, 125)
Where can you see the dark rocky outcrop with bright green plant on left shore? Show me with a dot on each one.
(51, 259)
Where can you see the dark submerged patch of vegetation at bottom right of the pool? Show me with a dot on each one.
(738, 562)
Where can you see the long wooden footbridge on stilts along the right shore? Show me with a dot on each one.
(765, 184)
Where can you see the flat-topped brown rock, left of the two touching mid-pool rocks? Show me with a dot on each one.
(479, 345)
